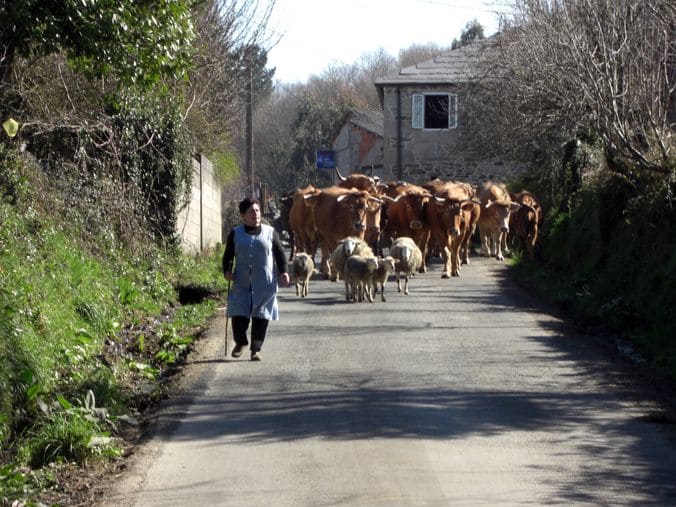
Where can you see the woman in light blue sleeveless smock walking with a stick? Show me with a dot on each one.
(259, 261)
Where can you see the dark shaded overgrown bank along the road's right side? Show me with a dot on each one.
(607, 254)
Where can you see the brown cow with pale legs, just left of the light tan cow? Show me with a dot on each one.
(449, 216)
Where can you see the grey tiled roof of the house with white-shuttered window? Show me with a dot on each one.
(455, 66)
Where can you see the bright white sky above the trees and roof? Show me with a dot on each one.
(317, 34)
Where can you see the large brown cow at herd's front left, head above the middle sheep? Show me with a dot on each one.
(339, 213)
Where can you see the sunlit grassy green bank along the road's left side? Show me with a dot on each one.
(89, 330)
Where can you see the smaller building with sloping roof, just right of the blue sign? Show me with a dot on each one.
(359, 144)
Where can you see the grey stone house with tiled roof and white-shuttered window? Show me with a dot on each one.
(423, 121)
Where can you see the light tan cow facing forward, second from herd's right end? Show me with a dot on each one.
(496, 206)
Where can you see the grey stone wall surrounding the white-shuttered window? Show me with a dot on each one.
(426, 153)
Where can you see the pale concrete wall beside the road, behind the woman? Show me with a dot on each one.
(200, 223)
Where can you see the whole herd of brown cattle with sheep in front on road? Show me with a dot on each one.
(350, 222)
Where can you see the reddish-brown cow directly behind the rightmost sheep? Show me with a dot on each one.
(406, 217)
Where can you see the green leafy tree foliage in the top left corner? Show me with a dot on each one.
(138, 42)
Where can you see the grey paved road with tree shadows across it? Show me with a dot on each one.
(463, 393)
